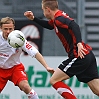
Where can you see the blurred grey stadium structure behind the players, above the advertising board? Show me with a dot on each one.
(85, 13)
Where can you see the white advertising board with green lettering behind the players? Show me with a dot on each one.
(38, 79)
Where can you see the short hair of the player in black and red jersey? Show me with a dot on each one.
(52, 4)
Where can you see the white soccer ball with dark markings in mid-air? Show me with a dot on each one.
(16, 39)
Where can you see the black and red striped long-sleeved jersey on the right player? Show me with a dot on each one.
(67, 30)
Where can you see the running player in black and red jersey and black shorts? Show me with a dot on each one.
(81, 61)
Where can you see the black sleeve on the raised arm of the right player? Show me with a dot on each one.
(44, 23)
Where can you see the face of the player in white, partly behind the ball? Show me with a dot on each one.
(6, 29)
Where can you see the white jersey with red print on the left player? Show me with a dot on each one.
(10, 56)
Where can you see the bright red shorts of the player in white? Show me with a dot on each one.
(14, 74)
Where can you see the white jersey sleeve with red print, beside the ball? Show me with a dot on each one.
(30, 49)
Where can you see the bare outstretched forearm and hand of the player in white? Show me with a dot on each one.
(41, 59)
